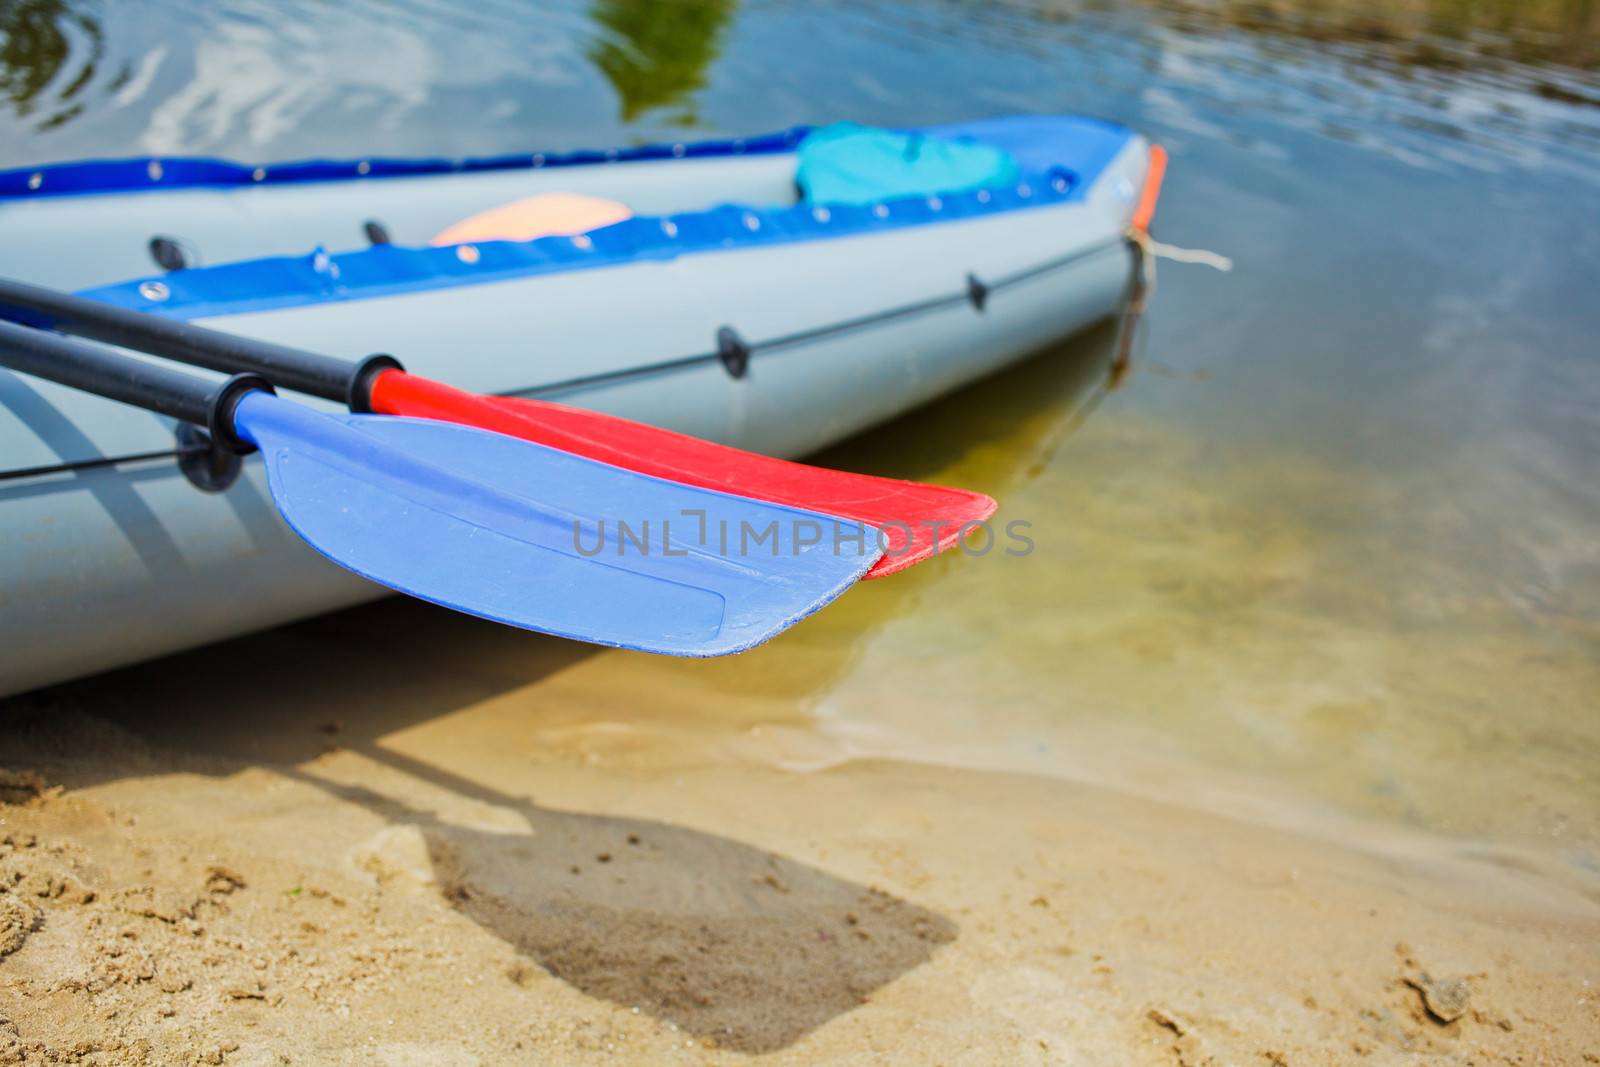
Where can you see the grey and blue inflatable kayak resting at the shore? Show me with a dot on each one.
(730, 302)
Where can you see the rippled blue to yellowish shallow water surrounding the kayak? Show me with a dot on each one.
(1337, 538)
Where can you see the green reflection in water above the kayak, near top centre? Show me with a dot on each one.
(657, 52)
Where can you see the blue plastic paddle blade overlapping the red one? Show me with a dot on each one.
(548, 541)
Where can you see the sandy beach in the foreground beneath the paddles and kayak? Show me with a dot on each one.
(372, 863)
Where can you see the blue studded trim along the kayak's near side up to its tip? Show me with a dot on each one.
(271, 284)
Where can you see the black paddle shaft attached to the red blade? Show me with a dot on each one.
(294, 369)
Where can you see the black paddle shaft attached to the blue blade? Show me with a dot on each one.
(118, 377)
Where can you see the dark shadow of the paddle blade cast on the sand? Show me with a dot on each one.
(738, 946)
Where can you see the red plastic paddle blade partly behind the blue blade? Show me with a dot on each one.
(918, 521)
